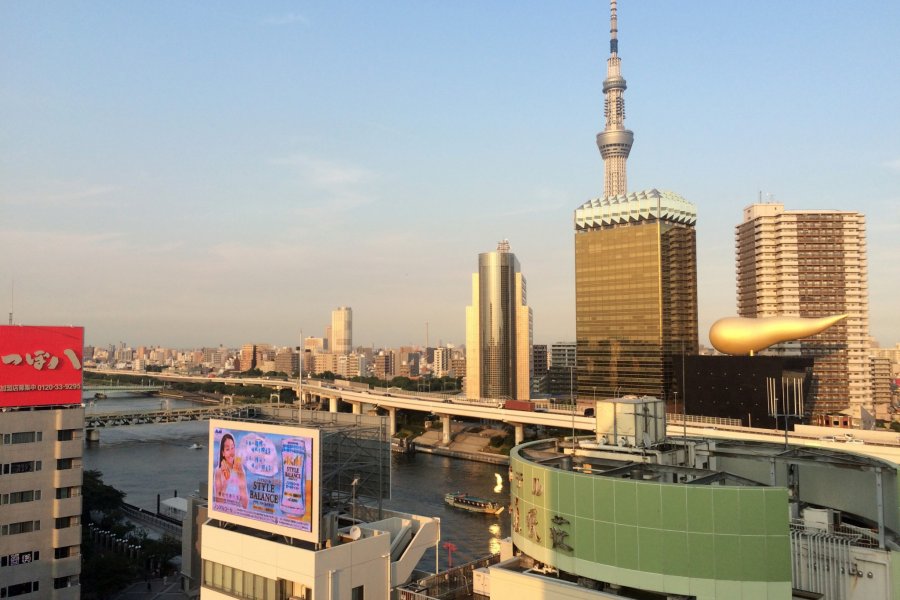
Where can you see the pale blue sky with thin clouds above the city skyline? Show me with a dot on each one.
(196, 173)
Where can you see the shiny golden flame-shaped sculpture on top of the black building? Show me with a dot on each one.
(738, 335)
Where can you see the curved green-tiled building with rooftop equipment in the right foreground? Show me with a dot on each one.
(699, 518)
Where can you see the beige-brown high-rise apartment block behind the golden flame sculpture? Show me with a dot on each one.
(811, 263)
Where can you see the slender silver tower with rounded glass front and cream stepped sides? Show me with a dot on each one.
(498, 329)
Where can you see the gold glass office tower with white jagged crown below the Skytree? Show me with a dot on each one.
(635, 292)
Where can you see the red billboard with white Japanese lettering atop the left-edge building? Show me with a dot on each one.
(40, 366)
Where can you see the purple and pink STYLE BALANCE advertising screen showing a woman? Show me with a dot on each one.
(266, 477)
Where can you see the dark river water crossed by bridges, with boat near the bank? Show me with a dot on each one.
(146, 460)
